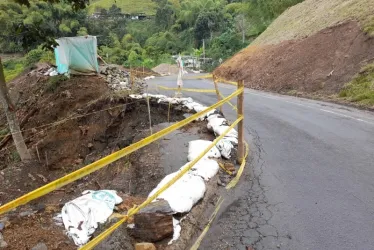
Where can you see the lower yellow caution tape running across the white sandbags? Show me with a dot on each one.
(102, 236)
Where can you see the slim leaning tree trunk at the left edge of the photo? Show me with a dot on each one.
(10, 112)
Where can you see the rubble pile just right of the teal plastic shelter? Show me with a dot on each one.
(119, 79)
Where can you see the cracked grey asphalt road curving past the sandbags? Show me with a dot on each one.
(310, 181)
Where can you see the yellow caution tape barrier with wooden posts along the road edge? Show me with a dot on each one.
(99, 164)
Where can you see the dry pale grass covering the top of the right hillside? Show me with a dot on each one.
(293, 24)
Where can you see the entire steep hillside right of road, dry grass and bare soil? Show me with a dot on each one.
(313, 49)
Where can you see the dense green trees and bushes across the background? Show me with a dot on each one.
(178, 26)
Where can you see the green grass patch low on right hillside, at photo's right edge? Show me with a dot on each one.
(361, 88)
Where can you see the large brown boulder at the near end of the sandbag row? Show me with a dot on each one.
(152, 227)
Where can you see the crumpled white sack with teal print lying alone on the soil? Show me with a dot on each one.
(82, 215)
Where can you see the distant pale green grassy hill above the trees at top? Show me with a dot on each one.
(128, 6)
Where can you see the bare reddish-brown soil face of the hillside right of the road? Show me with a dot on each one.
(321, 63)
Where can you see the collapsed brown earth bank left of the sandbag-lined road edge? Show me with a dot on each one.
(93, 122)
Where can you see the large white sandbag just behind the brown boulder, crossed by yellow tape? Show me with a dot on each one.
(183, 194)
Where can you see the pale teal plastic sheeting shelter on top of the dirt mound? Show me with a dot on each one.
(77, 53)
